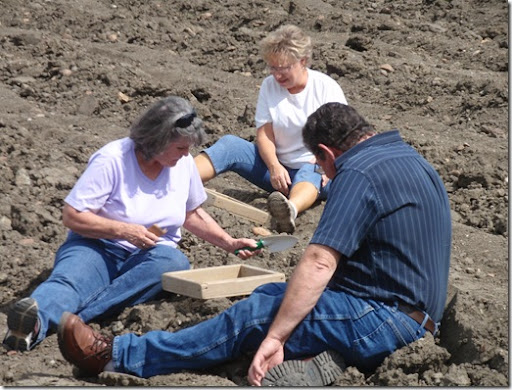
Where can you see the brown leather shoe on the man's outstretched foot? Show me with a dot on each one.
(82, 346)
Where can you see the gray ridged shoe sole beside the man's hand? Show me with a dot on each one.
(322, 370)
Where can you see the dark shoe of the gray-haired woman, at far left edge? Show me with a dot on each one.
(23, 325)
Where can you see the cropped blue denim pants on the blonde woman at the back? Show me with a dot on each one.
(231, 153)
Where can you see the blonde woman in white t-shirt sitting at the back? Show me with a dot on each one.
(279, 162)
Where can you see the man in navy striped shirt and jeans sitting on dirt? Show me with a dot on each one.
(372, 280)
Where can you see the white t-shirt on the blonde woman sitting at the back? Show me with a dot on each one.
(288, 113)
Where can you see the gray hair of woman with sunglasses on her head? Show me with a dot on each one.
(164, 122)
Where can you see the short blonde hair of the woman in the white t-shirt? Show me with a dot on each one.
(289, 41)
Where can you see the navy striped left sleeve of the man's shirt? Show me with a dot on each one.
(350, 212)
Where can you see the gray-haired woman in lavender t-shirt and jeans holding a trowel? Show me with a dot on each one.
(112, 258)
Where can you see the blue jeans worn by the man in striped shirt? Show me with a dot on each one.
(363, 331)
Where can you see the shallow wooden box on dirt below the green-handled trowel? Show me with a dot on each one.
(217, 282)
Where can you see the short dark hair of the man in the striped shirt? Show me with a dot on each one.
(335, 125)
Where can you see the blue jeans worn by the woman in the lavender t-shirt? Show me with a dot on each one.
(92, 277)
